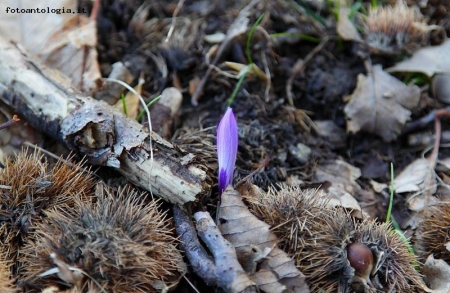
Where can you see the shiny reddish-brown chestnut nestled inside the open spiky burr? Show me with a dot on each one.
(361, 259)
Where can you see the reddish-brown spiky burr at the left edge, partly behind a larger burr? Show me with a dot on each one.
(29, 187)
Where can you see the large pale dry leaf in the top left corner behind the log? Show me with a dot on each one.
(64, 41)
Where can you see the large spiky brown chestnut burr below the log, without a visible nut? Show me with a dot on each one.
(120, 243)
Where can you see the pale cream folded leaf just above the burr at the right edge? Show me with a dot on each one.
(417, 177)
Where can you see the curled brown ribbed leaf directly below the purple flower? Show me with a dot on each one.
(256, 248)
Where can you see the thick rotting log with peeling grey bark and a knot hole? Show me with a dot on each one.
(46, 99)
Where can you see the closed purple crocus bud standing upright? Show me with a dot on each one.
(227, 139)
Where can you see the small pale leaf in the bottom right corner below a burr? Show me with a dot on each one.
(437, 275)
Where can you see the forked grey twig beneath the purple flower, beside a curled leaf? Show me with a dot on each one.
(222, 269)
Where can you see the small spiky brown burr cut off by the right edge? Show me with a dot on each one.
(433, 233)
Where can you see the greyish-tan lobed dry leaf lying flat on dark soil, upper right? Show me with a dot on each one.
(380, 104)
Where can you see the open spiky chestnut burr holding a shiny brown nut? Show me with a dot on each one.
(336, 252)
